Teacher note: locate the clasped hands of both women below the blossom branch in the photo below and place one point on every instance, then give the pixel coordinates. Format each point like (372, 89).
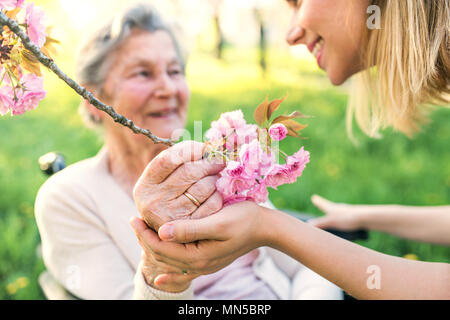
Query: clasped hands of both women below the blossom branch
(179, 185)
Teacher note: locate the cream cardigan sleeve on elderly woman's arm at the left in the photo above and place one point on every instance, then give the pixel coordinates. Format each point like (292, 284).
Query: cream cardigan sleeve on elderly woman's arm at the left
(78, 251)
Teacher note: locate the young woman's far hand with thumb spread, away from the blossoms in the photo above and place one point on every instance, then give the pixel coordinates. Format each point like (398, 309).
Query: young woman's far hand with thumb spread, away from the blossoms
(340, 216)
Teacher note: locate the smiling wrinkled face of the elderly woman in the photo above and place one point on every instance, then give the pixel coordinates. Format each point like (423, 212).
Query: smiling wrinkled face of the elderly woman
(146, 84)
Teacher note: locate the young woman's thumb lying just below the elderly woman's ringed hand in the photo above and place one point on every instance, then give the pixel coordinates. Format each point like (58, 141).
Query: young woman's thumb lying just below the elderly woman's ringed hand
(184, 231)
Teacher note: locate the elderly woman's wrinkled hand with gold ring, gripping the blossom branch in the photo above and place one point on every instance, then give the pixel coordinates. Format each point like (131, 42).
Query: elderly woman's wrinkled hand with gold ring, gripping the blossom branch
(159, 192)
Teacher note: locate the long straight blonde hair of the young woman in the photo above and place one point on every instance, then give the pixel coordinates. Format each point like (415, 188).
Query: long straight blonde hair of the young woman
(407, 67)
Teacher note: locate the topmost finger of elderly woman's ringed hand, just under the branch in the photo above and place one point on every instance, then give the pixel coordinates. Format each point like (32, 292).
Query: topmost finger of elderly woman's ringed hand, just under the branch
(169, 160)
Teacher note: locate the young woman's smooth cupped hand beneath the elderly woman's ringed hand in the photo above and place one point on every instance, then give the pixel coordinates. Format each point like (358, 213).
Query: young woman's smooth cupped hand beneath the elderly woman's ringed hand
(224, 236)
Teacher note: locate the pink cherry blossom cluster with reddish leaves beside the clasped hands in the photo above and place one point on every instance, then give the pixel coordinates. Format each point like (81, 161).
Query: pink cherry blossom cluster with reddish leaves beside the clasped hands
(251, 156)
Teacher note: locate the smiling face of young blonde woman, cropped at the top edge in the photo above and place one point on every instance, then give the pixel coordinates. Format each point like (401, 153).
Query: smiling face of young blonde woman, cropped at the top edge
(332, 30)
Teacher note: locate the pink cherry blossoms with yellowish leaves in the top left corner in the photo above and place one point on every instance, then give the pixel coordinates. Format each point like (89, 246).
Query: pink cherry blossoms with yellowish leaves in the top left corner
(21, 84)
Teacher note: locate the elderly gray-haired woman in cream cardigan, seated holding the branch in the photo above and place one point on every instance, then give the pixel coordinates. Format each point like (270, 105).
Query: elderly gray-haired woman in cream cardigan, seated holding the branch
(83, 212)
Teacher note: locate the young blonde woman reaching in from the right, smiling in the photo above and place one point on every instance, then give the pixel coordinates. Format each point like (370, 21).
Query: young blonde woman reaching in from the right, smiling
(399, 70)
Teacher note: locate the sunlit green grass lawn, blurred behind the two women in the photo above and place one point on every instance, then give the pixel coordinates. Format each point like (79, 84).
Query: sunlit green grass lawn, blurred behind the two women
(394, 169)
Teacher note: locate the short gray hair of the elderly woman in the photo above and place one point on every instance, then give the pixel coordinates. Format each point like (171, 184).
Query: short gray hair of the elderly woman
(93, 60)
